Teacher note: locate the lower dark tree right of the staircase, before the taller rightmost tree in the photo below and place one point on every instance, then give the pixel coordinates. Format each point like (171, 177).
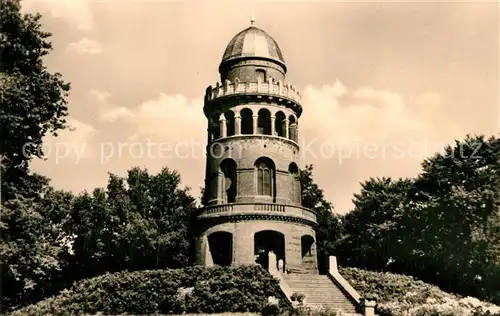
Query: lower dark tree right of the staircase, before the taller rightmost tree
(372, 229)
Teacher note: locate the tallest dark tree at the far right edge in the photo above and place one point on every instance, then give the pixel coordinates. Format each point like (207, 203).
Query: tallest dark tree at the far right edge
(462, 190)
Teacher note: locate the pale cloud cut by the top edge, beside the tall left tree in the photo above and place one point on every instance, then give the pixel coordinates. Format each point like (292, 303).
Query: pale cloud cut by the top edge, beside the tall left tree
(75, 12)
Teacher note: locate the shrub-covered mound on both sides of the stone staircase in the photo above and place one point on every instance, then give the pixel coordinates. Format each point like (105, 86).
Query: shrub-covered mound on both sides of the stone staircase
(243, 290)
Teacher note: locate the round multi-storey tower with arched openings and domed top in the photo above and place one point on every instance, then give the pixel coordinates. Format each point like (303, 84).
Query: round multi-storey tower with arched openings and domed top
(252, 200)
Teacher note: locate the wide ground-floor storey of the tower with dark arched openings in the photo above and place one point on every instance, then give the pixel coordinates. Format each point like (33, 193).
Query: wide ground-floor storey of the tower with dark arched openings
(239, 243)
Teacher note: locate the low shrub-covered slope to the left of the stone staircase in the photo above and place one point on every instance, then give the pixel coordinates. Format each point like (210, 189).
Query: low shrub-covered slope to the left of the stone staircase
(190, 290)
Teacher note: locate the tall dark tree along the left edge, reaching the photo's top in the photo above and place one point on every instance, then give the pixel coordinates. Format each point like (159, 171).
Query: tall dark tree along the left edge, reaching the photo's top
(32, 105)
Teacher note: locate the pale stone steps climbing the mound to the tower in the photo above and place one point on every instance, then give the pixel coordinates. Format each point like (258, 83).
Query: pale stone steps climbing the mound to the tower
(320, 291)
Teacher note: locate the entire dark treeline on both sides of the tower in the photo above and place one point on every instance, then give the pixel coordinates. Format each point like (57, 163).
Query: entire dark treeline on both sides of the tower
(443, 226)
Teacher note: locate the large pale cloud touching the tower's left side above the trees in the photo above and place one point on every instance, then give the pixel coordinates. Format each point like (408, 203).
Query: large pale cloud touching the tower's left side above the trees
(165, 131)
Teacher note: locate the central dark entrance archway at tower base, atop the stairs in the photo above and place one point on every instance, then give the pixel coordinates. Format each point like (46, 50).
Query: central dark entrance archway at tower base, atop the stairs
(266, 241)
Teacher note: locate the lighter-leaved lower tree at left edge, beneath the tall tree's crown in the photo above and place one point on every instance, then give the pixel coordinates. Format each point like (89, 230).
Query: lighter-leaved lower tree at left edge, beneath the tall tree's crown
(34, 248)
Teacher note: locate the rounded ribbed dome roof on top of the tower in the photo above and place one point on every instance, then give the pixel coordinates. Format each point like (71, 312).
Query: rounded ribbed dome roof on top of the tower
(253, 42)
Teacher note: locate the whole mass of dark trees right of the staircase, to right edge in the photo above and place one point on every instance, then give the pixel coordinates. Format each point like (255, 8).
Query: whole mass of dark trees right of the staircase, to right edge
(443, 226)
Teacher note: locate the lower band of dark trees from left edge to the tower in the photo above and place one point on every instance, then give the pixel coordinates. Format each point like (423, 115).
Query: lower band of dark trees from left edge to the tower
(138, 222)
